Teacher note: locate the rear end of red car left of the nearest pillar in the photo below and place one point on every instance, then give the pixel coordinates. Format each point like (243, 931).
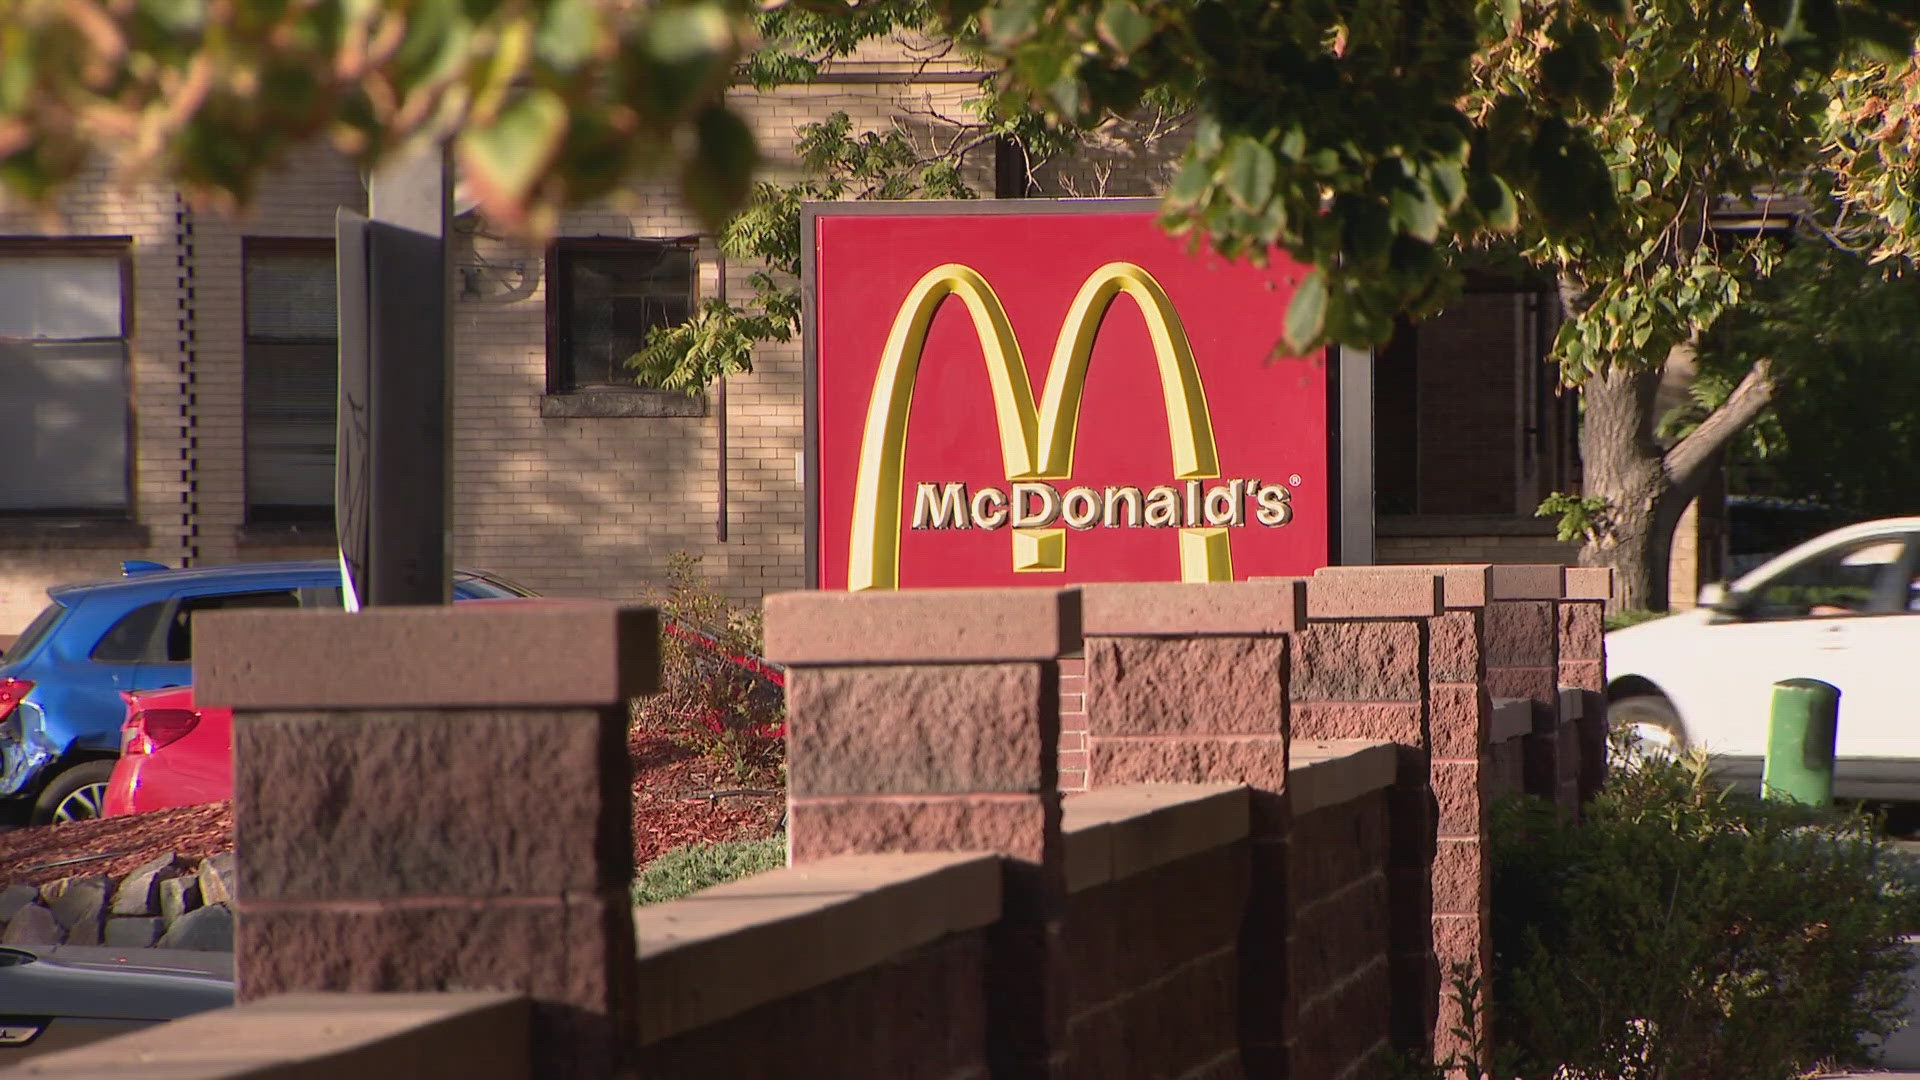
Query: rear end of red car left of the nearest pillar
(172, 754)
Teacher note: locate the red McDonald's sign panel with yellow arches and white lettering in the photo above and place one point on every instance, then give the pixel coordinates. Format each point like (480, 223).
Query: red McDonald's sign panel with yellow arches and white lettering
(1038, 393)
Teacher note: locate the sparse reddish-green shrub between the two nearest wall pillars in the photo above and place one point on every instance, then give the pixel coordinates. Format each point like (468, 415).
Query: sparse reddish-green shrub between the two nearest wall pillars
(713, 697)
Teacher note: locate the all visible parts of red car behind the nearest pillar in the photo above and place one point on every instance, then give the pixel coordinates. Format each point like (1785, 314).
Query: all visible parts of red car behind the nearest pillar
(180, 756)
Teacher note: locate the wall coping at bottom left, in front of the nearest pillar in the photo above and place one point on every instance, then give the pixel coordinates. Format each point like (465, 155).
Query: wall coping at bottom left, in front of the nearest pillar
(297, 1035)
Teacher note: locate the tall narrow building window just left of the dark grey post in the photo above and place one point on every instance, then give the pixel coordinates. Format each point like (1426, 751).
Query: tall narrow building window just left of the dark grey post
(293, 368)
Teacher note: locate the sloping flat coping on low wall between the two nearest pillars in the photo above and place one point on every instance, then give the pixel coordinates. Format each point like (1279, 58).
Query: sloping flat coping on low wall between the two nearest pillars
(706, 958)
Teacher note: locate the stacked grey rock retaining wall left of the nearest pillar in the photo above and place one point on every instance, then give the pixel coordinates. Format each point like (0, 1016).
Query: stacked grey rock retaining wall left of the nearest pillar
(170, 904)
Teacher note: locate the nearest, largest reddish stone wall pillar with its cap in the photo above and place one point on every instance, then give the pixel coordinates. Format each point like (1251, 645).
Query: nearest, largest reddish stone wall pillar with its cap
(439, 798)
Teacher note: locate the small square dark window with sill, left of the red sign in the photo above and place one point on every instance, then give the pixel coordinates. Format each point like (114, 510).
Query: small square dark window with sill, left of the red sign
(604, 297)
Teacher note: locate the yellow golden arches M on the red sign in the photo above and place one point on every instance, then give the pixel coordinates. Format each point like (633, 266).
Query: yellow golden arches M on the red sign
(1036, 445)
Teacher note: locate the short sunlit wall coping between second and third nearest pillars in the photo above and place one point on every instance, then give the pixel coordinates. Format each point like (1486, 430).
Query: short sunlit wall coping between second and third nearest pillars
(1116, 833)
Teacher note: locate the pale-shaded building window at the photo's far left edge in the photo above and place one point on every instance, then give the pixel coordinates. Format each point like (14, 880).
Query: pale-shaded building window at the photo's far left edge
(64, 378)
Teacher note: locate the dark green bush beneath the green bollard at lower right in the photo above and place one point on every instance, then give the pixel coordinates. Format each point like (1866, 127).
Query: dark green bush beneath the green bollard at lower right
(1689, 933)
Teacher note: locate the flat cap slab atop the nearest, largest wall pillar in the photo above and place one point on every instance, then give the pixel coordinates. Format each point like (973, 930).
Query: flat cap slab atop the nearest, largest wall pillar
(464, 656)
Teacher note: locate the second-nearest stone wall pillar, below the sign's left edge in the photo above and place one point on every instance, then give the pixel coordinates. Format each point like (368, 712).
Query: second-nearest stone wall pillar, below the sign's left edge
(930, 722)
